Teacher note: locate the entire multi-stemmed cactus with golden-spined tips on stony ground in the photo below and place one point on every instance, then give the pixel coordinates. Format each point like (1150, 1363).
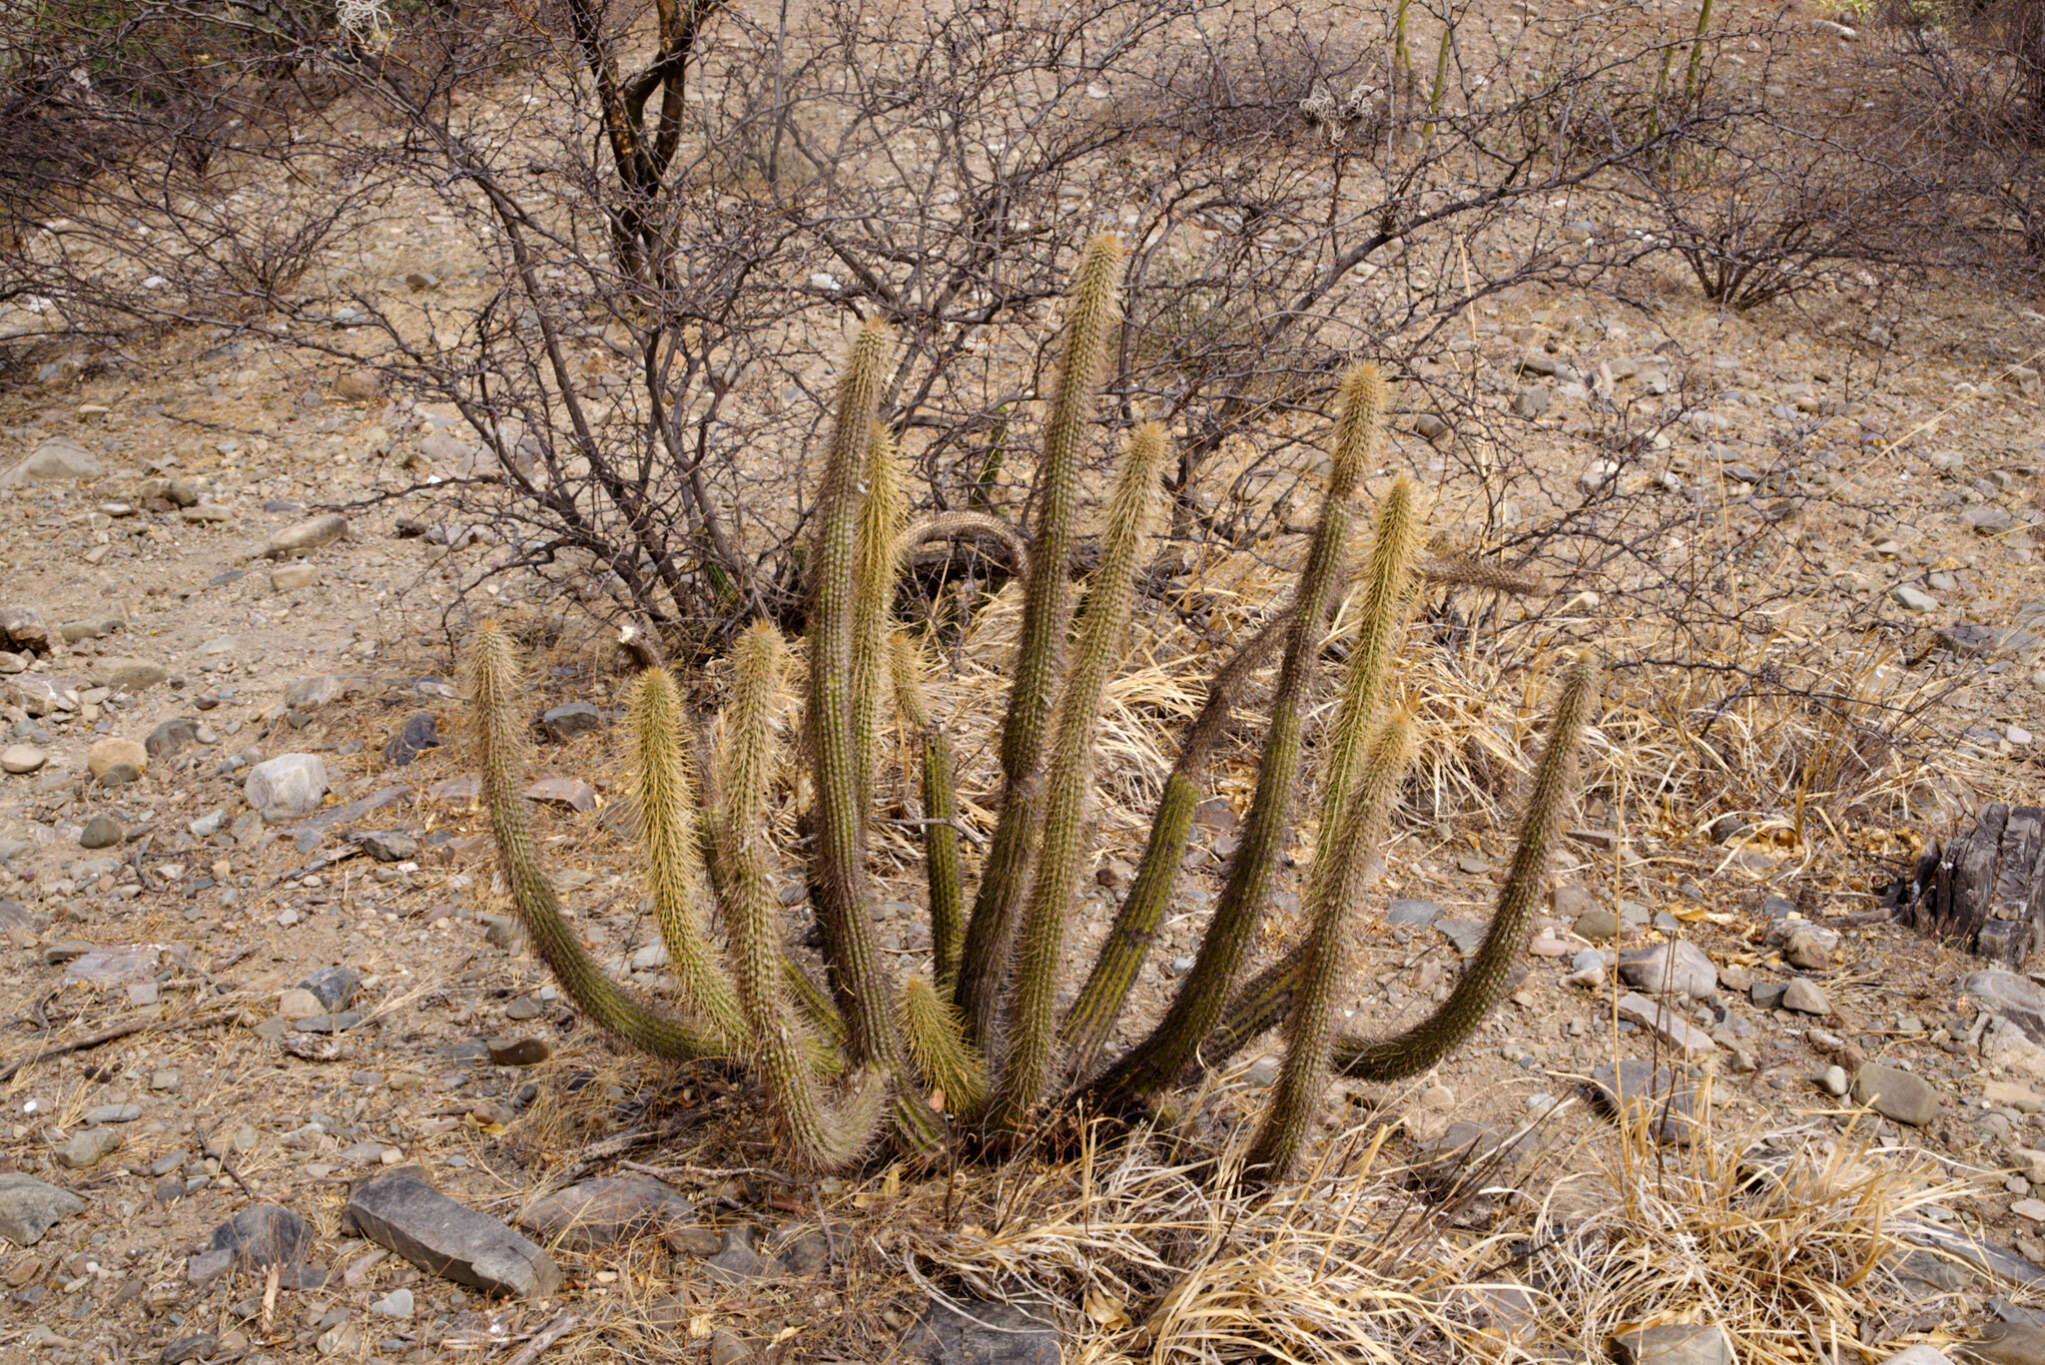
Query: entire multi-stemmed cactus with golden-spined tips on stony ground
(981, 1043)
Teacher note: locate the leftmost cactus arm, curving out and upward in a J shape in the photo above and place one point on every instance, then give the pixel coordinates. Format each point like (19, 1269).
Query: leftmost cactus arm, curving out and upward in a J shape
(494, 687)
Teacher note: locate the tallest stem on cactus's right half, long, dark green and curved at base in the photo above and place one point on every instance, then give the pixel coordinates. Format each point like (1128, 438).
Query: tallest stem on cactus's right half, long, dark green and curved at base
(1201, 998)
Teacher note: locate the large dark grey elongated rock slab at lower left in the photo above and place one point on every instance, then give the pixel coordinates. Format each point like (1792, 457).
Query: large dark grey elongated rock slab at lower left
(449, 1239)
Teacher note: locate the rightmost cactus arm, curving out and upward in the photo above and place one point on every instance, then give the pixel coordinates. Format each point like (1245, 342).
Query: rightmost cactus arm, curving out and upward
(1490, 971)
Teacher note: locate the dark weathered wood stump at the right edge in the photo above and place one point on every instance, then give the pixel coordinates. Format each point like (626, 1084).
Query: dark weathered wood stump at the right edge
(1987, 889)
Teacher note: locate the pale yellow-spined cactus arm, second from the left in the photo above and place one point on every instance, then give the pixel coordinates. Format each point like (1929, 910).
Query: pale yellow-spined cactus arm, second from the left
(668, 818)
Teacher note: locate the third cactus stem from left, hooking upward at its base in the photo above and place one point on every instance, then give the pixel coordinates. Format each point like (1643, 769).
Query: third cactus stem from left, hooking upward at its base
(749, 760)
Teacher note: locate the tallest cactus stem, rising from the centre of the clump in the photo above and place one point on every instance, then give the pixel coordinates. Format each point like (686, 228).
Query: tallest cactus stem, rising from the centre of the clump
(1093, 314)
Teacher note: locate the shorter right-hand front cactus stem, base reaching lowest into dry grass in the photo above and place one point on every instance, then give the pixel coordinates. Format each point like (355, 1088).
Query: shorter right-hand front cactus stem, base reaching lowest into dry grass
(1330, 955)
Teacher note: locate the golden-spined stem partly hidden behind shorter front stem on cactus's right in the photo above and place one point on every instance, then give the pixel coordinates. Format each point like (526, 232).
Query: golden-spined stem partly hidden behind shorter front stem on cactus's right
(1383, 613)
